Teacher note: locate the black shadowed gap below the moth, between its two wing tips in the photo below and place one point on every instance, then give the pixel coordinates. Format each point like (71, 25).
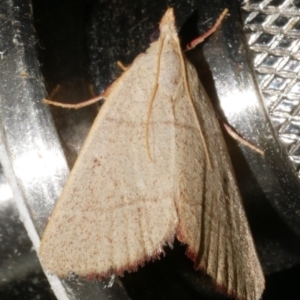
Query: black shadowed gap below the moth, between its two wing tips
(171, 277)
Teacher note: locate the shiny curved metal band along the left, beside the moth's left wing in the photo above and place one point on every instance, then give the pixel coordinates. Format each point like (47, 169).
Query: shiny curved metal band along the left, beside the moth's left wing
(30, 151)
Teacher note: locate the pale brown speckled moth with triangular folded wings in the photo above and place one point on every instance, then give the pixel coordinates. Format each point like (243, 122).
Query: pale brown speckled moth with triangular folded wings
(154, 166)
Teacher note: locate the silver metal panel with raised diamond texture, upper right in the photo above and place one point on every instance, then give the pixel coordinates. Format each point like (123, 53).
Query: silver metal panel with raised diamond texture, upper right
(274, 37)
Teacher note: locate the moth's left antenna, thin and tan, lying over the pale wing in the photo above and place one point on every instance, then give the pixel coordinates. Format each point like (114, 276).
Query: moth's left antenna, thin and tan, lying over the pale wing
(153, 96)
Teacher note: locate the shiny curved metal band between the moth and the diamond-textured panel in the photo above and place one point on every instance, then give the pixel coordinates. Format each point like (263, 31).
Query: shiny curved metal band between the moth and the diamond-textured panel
(245, 109)
